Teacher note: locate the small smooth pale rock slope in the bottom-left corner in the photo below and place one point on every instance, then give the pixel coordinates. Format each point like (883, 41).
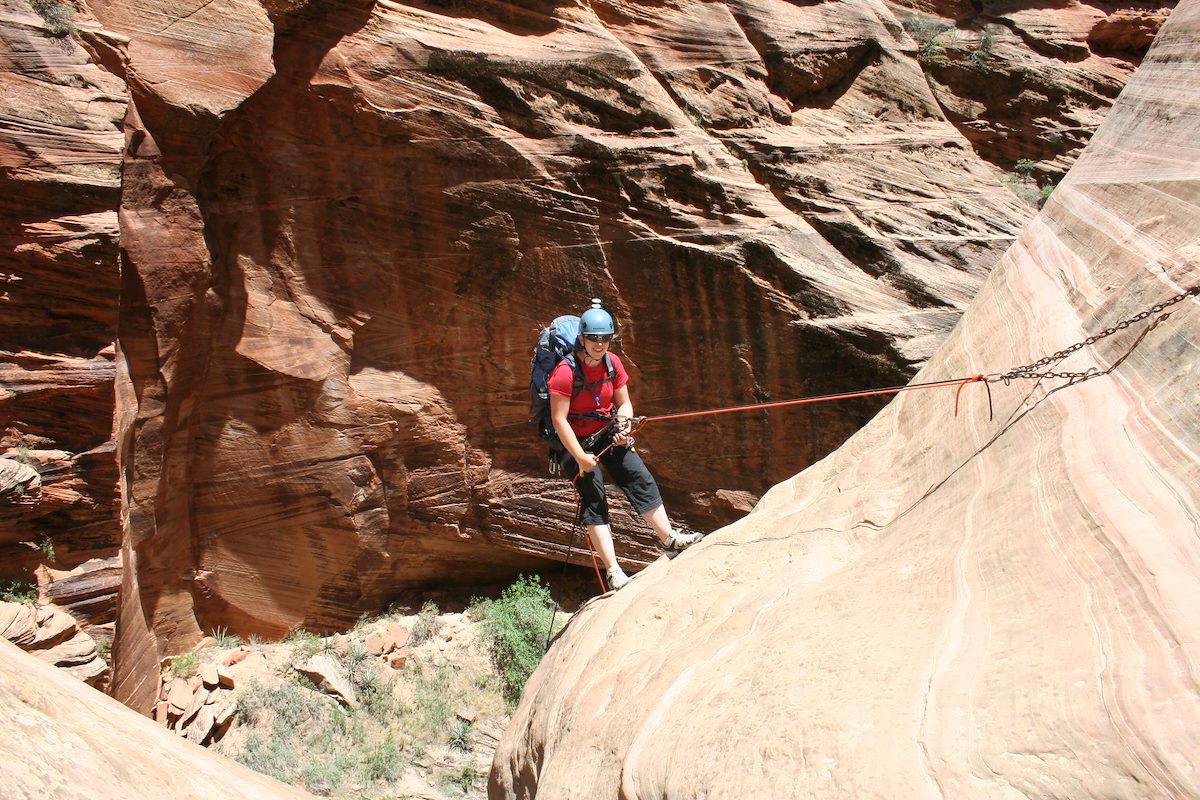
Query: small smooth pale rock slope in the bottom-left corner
(68, 742)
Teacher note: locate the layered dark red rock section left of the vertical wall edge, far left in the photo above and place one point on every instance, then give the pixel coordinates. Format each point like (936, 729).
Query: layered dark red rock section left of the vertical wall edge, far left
(61, 147)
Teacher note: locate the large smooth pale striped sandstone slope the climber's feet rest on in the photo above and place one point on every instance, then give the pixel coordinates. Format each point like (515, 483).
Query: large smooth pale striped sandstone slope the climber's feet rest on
(947, 607)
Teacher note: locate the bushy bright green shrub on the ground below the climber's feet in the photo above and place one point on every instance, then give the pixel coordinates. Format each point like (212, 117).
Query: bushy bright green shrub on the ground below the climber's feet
(517, 627)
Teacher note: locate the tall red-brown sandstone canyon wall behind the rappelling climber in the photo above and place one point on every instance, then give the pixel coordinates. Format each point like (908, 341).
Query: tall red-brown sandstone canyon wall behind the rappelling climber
(341, 226)
